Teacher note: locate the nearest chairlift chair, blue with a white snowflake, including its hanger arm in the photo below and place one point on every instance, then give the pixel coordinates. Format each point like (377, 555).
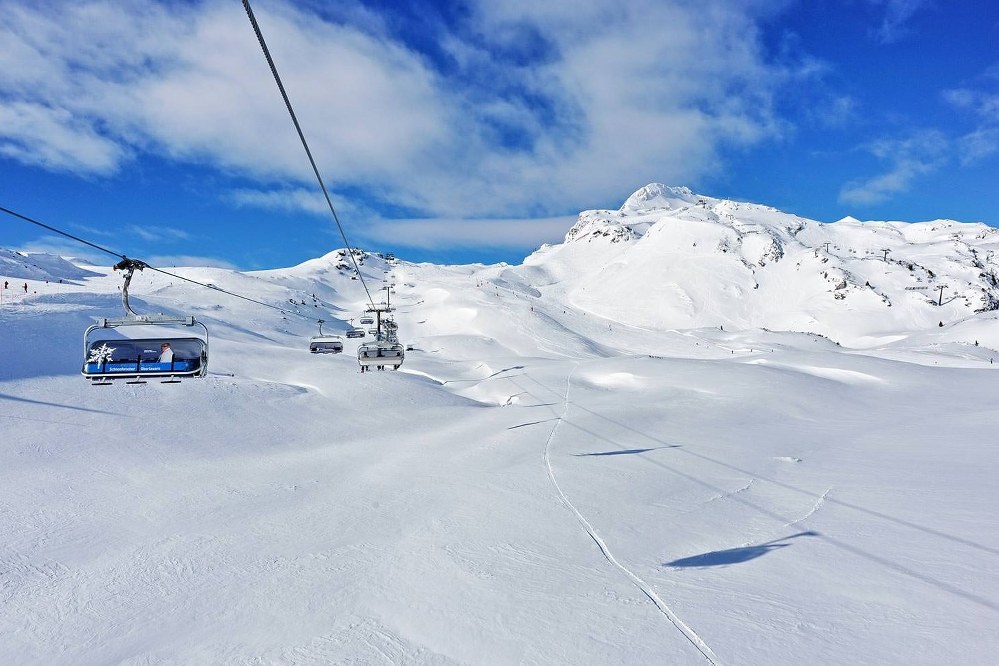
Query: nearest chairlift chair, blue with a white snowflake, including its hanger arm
(169, 357)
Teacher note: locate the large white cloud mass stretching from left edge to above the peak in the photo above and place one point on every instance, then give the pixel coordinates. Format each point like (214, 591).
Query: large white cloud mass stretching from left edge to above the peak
(587, 102)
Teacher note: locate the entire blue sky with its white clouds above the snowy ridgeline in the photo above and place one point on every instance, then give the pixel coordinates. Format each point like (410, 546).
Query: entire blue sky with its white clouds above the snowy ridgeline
(472, 131)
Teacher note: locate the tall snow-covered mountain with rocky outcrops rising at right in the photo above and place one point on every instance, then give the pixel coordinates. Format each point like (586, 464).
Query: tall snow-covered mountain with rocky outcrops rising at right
(671, 259)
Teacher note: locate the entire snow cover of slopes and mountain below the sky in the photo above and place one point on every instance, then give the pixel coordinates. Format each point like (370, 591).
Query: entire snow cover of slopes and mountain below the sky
(697, 431)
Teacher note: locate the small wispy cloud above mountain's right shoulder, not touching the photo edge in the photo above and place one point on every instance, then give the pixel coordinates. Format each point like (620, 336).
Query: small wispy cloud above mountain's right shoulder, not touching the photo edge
(908, 158)
